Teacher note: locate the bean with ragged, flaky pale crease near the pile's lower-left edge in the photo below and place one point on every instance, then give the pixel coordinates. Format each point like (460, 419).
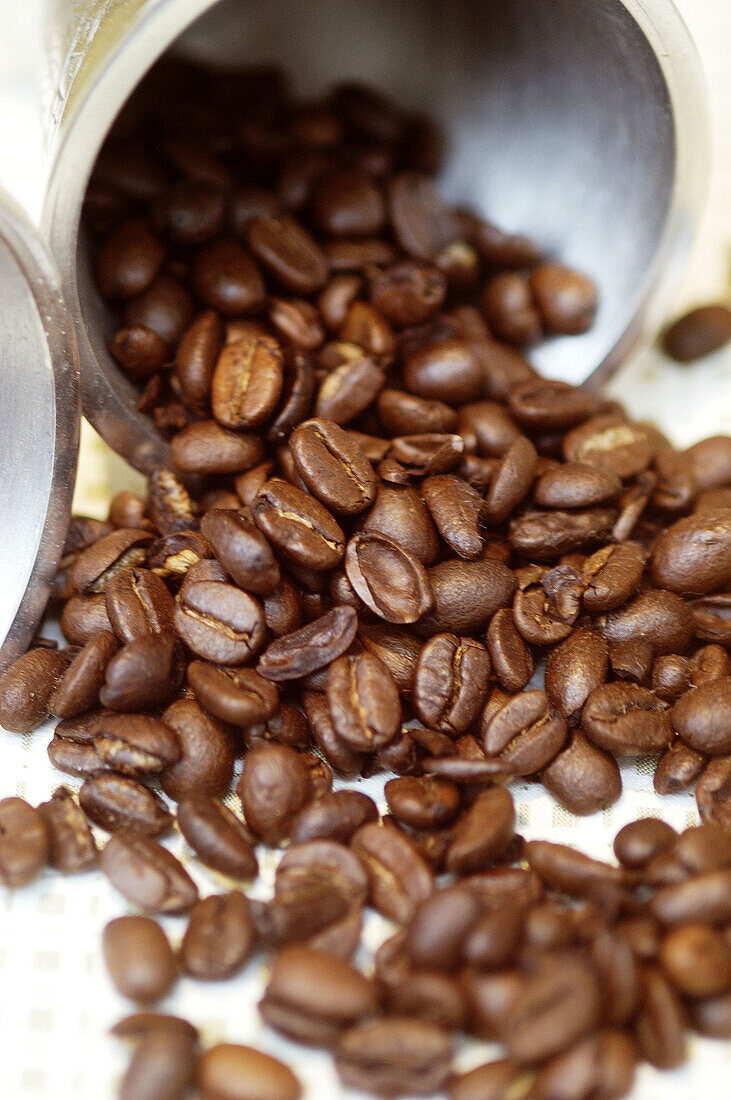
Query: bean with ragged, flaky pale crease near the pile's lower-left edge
(135, 745)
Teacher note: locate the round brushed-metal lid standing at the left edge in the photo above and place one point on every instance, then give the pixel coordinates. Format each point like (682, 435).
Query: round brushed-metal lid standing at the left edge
(39, 428)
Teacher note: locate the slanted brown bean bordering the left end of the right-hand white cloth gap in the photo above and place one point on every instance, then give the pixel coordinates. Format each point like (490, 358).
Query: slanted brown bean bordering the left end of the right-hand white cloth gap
(483, 833)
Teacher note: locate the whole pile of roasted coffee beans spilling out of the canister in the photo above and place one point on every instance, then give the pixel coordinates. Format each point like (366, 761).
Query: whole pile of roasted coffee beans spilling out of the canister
(378, 523)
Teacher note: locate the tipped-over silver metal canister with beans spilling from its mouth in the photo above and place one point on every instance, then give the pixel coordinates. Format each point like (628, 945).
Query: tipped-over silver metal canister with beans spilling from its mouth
(581, 123)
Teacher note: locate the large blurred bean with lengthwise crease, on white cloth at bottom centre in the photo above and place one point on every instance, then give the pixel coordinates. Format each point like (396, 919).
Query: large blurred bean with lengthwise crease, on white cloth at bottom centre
(313, 997)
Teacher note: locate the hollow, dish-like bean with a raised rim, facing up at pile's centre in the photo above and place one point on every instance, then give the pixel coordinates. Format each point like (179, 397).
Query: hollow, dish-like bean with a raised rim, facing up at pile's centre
(390, 580)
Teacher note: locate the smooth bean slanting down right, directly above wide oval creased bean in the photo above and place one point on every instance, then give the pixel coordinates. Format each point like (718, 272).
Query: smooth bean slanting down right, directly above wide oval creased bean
(242, 551)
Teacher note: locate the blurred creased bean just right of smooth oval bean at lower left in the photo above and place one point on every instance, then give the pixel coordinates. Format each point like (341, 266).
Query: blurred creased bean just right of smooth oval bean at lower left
(219, 938)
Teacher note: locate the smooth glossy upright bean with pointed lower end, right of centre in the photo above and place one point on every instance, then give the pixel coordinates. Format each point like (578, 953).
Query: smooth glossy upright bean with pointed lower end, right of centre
(574, 669)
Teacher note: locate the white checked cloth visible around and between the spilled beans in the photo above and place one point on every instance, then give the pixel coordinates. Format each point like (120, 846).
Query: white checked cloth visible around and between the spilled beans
(57, 1004)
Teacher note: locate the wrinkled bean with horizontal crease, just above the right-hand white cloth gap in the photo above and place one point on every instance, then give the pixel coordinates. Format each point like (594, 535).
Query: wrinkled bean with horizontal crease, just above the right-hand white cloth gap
(627, 720)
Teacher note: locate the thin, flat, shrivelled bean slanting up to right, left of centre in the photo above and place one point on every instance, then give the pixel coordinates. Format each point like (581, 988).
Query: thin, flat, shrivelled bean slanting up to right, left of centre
(311, 648)
